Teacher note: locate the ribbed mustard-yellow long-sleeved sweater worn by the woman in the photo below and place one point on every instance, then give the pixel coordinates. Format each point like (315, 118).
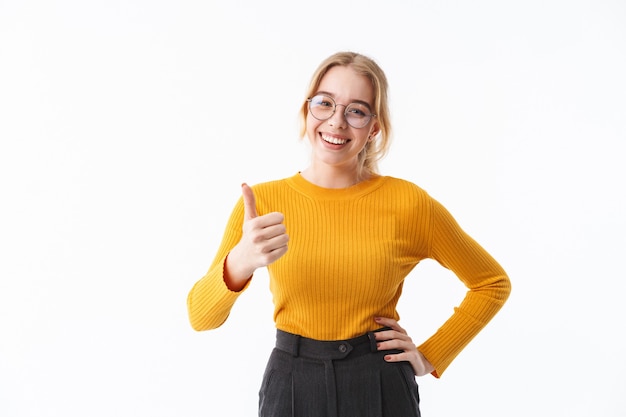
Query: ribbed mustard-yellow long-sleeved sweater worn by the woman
(349, 253)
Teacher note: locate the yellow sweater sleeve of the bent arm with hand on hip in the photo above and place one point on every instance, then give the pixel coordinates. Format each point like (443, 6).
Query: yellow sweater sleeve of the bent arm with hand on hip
(487, 282)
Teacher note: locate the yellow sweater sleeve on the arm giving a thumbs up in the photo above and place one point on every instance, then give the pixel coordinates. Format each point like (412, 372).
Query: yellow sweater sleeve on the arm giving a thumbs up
(209, 302)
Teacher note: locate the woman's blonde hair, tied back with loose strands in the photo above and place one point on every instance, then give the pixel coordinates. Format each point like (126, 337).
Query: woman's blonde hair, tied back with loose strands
(375, 149)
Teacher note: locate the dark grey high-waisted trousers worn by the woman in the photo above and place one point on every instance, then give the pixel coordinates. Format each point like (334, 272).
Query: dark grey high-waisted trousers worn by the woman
(345, 378)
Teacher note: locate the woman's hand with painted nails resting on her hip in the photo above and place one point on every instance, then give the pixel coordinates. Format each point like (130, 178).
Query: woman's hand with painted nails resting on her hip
(397, 338)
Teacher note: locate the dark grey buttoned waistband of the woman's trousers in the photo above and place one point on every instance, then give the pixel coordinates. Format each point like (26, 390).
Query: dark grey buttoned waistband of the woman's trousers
(298, 345)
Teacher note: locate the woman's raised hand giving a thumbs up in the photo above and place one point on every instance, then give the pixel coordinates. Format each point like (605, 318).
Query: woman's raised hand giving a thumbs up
(264, 240)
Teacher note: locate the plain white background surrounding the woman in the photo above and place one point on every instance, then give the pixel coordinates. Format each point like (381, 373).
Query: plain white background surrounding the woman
(127, 128)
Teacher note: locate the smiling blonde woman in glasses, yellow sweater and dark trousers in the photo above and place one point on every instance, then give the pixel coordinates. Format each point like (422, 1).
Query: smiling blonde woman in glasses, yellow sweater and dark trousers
(354, 235)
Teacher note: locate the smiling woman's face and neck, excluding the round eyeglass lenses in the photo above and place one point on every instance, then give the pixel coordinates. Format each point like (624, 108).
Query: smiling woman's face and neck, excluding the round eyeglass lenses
(333, 141)
